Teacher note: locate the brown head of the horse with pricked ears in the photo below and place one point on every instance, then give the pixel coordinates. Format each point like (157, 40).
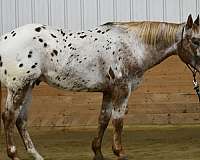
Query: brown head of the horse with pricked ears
(189, 45)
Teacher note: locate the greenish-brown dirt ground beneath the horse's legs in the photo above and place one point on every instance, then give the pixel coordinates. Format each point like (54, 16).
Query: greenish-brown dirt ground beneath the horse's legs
(141, 143)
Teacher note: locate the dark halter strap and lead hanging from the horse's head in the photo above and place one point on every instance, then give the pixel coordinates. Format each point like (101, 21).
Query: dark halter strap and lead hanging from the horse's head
(193, 70)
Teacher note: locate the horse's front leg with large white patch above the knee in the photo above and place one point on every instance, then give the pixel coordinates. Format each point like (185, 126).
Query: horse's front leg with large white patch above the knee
(120, 108)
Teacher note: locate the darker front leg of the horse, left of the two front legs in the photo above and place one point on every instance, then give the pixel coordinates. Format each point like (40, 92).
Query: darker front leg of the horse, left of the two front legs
(104, 119)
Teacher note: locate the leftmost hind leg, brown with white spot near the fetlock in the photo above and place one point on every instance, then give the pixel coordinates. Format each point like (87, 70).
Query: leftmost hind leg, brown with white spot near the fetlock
(13, 102)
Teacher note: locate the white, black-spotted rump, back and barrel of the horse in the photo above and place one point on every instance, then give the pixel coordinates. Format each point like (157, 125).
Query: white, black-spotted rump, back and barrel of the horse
(75, 61)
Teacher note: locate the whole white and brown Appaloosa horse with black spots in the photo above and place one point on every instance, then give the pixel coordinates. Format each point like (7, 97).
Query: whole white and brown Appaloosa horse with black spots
(111, 58)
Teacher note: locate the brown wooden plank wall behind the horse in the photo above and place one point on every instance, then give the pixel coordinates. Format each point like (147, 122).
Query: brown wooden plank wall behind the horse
(165, 97)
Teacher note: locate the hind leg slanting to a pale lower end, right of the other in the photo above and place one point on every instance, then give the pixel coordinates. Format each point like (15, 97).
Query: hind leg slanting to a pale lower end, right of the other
(21, 124)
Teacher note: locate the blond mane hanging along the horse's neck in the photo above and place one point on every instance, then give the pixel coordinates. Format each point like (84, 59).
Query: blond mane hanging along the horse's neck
(151, 32)
